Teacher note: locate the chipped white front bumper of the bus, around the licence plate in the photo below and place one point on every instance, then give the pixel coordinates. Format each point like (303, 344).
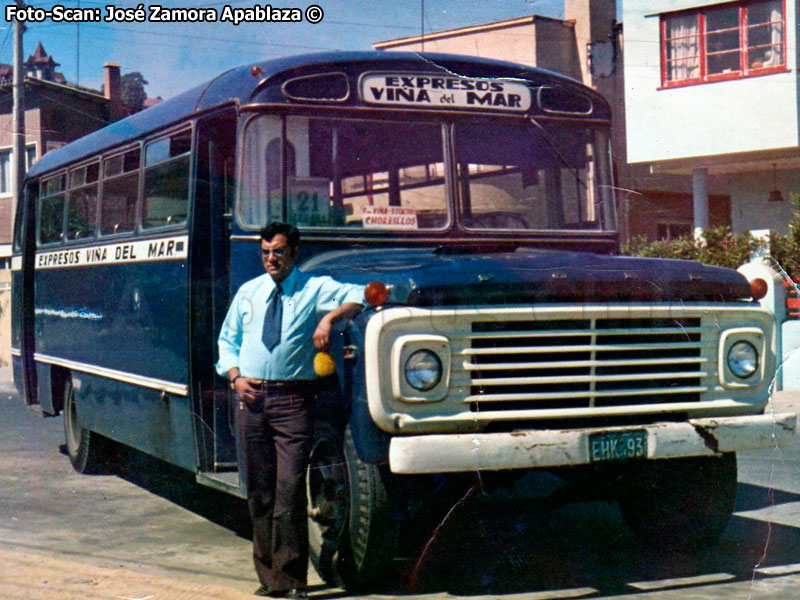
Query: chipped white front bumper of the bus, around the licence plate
(453, 453)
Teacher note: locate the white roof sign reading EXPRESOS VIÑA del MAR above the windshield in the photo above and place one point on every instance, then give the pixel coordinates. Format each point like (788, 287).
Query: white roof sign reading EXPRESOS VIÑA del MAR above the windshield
(444, 91)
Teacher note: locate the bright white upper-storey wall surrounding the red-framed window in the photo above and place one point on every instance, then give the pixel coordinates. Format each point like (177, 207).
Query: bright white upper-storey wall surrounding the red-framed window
(756, 113)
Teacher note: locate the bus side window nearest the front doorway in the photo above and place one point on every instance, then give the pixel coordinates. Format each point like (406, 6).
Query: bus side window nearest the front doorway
(166, 180)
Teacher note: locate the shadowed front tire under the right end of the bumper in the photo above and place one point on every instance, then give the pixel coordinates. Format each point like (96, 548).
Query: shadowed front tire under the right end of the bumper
(680, 505)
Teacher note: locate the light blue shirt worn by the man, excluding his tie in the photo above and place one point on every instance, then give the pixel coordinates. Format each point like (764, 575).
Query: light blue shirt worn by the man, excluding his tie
(306, 300)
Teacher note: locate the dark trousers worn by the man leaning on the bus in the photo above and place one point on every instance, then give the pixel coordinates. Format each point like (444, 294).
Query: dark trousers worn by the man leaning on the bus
(276, 438)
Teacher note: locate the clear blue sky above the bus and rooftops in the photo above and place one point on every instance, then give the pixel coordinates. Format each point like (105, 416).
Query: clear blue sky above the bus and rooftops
(174, 57)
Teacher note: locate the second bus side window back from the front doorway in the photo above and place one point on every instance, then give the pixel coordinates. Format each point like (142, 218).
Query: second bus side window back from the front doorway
(120, 192)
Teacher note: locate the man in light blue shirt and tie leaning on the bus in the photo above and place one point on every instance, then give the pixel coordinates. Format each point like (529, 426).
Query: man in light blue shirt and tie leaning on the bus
(266, 352)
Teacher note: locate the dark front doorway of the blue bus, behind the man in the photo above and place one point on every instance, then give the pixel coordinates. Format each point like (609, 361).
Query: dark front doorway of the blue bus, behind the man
(211, 231)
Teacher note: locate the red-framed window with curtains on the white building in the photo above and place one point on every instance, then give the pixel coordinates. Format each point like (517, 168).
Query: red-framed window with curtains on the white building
(725, 41)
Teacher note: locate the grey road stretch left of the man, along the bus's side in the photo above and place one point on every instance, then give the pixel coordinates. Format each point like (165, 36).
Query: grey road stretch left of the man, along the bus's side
(155, 521)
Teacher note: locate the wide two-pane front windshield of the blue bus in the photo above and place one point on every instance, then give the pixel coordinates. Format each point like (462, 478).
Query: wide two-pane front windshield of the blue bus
(390, 175)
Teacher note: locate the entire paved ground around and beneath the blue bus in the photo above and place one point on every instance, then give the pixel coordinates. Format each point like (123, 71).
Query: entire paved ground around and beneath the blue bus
(153, 521)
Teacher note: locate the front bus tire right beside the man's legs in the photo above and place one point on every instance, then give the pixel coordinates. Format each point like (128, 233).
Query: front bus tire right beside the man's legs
(352, 531)
